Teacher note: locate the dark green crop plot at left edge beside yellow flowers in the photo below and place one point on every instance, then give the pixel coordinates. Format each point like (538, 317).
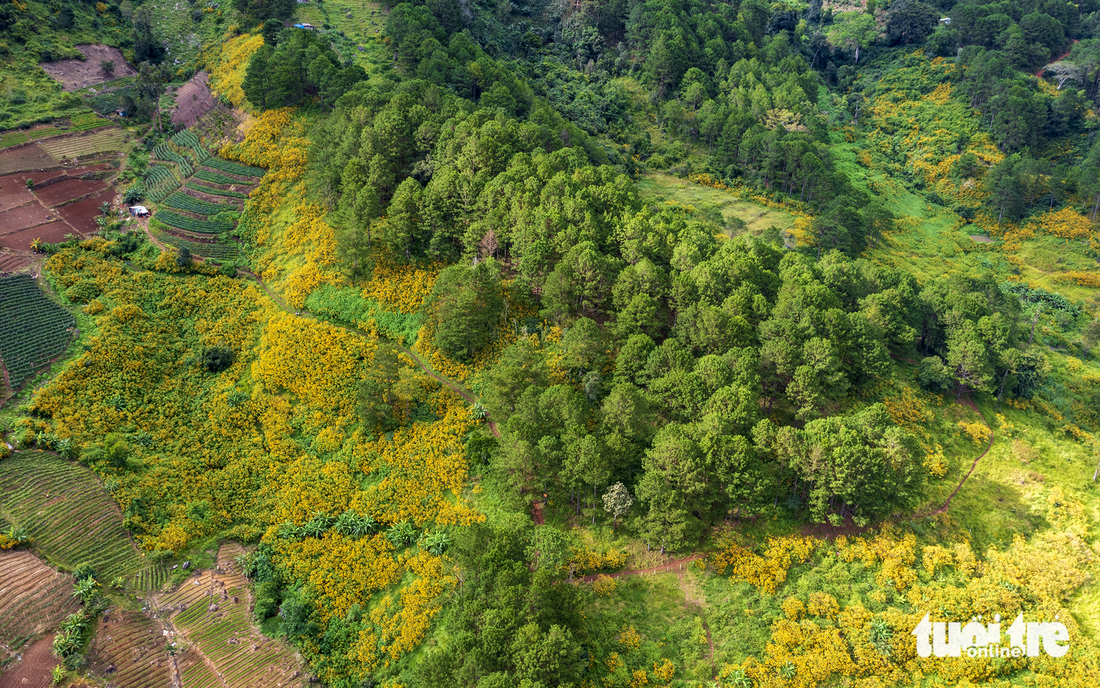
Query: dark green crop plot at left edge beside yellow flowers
(34, 330)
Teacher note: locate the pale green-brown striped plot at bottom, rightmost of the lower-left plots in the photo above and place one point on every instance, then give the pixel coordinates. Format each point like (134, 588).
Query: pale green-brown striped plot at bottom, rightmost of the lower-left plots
(211, 610)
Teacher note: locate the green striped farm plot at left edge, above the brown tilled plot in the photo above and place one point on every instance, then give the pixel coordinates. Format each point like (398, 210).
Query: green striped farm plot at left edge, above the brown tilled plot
(68, 512)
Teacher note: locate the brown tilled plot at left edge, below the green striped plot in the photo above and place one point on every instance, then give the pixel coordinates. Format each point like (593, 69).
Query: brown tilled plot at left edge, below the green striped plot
(34, 598)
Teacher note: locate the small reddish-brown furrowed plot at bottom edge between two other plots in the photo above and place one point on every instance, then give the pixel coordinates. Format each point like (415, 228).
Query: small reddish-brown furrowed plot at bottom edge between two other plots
(130, 651)
